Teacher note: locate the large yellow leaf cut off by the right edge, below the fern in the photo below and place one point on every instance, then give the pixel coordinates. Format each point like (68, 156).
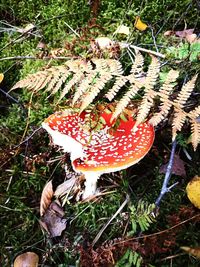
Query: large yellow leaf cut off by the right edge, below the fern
(193, 191)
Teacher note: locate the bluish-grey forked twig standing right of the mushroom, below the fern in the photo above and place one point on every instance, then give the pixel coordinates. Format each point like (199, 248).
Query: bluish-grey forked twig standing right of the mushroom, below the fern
(165, 187)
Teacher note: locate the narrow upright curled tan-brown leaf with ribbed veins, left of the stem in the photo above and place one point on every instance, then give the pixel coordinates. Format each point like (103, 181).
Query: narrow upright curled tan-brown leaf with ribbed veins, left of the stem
(46, 197)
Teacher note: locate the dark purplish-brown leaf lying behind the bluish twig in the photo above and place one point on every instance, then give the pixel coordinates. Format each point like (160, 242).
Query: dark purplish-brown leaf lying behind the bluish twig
(177, 169)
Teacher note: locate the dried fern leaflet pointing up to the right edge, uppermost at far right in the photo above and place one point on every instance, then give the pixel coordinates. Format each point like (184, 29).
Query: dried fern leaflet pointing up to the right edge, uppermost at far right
(185, 92)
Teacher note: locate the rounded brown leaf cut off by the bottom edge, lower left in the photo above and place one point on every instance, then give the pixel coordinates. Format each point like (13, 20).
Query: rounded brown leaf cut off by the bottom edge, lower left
(28, 259)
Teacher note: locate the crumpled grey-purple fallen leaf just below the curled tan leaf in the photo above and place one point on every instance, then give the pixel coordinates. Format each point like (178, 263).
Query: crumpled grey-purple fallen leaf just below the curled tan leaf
(52, 221)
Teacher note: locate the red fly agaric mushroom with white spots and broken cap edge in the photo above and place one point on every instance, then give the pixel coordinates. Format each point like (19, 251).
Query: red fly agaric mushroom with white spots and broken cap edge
(104, 150)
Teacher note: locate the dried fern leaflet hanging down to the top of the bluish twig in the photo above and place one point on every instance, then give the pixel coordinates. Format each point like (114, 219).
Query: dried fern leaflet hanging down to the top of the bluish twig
(178, 121)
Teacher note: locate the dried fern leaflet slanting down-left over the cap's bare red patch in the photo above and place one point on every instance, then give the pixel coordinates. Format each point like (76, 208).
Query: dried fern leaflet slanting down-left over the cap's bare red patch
(124, 101)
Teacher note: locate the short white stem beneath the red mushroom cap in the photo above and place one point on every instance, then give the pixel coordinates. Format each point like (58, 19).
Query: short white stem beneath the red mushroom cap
(90, 184)
